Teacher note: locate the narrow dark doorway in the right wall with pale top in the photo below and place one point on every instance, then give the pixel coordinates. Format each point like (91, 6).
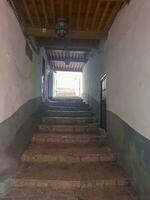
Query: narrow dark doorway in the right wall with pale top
(103, 120)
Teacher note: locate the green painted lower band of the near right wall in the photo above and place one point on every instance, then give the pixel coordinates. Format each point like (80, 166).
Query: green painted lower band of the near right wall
(133, 152)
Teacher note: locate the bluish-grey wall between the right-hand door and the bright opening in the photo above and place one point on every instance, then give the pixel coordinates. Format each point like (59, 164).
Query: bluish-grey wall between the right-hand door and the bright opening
(93, 71)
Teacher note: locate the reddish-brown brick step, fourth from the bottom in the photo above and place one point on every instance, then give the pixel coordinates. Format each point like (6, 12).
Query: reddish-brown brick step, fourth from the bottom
(68, 138)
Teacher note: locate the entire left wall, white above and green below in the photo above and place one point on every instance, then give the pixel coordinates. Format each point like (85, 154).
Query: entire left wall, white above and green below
(20, 90)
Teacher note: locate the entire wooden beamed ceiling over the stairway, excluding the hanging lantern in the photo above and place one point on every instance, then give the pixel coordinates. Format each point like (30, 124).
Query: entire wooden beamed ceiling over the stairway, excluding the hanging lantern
(88, 21)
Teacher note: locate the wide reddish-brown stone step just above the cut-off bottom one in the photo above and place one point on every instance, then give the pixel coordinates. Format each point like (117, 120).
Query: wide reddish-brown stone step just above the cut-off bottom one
(73, 176)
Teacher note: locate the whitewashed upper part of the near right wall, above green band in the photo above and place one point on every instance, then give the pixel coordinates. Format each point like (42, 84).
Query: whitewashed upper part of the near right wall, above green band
(128, 66)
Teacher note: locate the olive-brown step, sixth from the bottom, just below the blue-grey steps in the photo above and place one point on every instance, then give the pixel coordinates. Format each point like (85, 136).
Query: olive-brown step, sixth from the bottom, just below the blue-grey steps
(68, 120)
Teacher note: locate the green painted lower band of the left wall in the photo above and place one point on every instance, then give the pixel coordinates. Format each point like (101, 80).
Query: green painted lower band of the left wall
(16, 133)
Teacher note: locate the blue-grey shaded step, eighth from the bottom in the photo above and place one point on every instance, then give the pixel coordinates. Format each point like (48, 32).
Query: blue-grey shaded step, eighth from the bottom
(66, 108)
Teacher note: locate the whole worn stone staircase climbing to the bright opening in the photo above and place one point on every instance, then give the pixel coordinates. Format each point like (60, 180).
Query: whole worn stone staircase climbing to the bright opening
(69, 159)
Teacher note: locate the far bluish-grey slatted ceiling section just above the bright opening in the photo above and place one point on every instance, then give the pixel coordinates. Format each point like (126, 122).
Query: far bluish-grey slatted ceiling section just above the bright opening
(66, 60)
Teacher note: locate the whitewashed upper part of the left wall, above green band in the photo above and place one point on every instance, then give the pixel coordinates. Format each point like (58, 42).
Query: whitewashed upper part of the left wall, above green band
(19, 77)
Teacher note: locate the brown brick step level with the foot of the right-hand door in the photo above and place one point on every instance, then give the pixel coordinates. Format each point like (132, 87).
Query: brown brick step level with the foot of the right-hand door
(93, 127)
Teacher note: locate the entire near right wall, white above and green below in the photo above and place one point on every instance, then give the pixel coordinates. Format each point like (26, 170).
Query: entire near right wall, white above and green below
(128, 92)
